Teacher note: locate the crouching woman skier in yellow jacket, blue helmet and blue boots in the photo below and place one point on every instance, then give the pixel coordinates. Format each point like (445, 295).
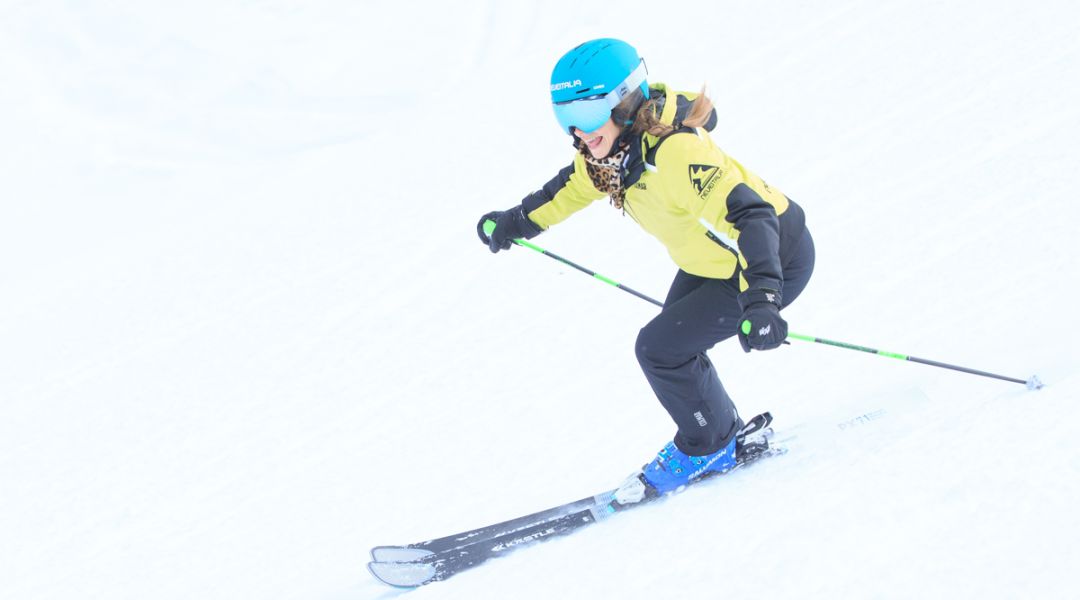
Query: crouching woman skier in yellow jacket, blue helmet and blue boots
(742, 247)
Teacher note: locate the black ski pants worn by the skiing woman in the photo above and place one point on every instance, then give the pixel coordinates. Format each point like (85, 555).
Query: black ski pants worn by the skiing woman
(698, 313)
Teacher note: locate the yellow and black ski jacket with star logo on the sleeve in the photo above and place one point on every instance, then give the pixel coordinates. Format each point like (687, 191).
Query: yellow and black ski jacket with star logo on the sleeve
(717, 219)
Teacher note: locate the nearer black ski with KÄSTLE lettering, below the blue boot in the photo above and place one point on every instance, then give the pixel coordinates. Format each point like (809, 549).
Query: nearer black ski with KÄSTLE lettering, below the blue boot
(558, 522)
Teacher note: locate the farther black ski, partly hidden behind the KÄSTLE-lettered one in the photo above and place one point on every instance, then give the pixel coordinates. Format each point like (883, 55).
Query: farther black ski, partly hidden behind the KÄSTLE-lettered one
(424, 550)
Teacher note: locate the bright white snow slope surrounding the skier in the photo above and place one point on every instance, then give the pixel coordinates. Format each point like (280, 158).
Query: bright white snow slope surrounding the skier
(248, 333)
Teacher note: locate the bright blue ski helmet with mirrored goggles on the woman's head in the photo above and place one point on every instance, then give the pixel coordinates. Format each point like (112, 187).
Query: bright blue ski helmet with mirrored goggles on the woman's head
(592, 79)
